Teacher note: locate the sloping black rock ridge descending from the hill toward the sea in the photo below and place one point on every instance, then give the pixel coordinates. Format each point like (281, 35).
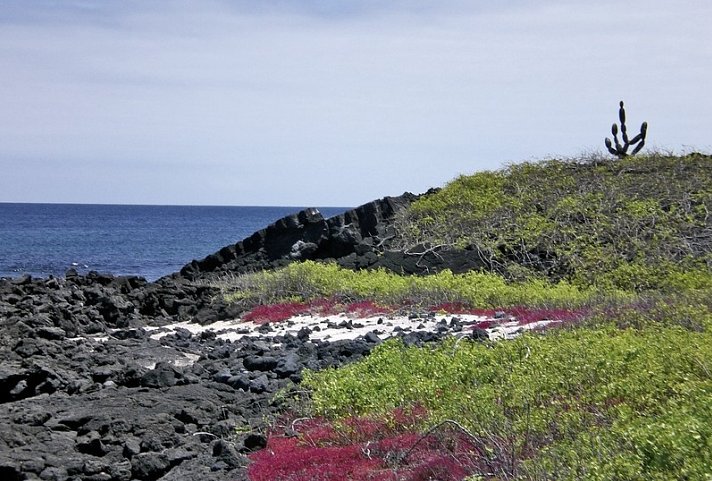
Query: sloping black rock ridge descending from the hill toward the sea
(357, 239)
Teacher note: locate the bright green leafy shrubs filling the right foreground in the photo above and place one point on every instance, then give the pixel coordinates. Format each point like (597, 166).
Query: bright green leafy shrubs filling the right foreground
(597, 404)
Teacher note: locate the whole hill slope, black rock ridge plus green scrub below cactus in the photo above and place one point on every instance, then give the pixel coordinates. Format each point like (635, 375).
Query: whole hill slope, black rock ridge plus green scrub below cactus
(637, 223)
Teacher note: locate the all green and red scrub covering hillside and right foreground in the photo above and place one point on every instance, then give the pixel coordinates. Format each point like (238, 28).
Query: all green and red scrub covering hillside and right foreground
(622, 391)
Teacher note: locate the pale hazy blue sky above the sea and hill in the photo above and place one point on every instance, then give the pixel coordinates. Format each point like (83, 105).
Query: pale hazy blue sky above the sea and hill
(330, 102)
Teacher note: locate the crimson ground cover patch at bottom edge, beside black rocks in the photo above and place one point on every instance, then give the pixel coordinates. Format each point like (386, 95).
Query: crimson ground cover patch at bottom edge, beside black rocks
(365, 449)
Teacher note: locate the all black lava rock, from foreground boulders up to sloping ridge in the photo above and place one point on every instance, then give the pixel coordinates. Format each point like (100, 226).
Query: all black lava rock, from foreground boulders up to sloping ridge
(89, 391)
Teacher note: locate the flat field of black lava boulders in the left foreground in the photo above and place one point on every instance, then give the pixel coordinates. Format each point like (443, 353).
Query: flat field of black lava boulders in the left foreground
(87, 392)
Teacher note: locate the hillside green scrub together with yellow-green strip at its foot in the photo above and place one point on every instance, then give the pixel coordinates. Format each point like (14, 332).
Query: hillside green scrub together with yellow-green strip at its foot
(553, 233)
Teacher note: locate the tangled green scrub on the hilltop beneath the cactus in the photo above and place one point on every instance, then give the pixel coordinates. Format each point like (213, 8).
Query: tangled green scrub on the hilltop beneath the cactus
(636, 223)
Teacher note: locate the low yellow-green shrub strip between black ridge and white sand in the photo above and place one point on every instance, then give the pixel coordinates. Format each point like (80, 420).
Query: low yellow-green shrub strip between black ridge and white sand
(311, 280)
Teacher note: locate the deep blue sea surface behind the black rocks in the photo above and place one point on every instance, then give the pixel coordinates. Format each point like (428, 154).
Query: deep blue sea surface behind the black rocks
(148, 241)
